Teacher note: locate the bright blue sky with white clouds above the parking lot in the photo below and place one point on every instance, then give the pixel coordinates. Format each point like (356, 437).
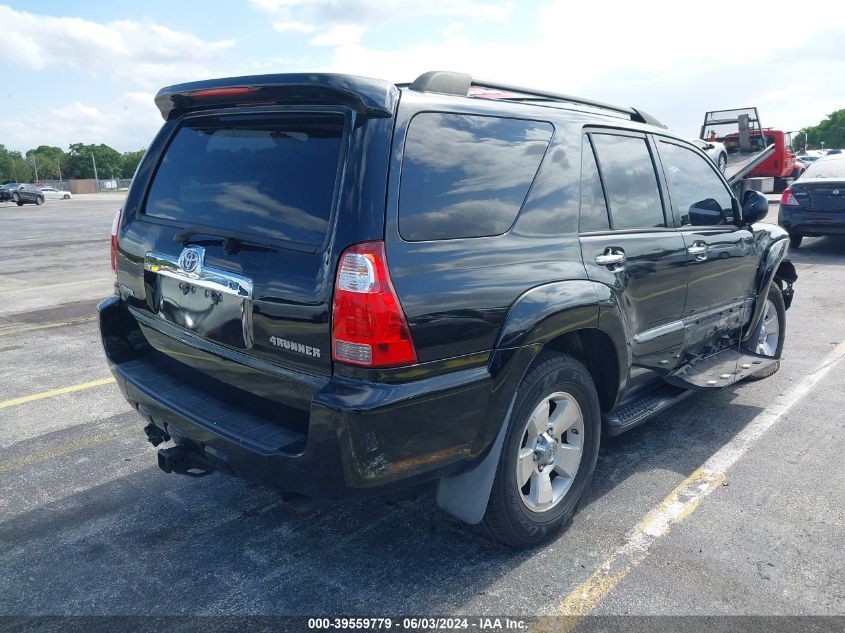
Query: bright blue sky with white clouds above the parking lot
(82, 71)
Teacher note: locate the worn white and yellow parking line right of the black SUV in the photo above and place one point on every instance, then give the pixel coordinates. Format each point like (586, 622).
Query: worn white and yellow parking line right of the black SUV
(680, 503)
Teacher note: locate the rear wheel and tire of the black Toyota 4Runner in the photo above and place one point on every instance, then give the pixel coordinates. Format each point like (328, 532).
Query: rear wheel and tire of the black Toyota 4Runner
(555, 380)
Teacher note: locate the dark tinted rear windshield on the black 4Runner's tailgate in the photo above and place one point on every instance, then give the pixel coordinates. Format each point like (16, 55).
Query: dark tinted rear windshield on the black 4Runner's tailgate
(274, 178)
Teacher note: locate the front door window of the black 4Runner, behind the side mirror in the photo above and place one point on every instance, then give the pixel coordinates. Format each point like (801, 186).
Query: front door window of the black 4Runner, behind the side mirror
(698, 195)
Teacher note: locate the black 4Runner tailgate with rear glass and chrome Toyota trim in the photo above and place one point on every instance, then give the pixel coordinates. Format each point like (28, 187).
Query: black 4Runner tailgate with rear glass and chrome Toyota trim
(236, 220)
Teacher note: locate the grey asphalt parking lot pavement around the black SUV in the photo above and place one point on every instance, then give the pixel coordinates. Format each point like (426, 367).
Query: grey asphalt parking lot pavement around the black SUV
(90, 526)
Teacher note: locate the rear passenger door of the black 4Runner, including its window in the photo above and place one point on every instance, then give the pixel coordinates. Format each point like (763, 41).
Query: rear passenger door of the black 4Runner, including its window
(629, 244)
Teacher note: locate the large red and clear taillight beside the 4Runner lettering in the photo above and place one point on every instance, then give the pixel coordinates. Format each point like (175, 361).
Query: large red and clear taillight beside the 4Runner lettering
(368, 325)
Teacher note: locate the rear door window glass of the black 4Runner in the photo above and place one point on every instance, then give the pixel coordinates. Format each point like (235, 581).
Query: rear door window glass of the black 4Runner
(630, 182)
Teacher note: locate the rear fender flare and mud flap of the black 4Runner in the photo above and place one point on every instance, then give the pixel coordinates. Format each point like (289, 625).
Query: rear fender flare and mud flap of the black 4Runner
(535, 318)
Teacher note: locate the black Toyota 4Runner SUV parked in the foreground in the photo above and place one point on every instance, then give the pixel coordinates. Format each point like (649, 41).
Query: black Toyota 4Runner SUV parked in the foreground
(334, 285)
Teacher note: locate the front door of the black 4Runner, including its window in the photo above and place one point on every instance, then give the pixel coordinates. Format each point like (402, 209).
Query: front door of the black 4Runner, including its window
(721, 257)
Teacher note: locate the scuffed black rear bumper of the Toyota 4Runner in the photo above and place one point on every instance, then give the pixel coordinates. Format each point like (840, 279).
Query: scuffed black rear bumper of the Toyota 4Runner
(360, 436)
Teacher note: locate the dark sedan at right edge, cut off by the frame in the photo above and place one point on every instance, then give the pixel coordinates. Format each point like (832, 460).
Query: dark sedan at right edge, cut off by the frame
(815, 204)
